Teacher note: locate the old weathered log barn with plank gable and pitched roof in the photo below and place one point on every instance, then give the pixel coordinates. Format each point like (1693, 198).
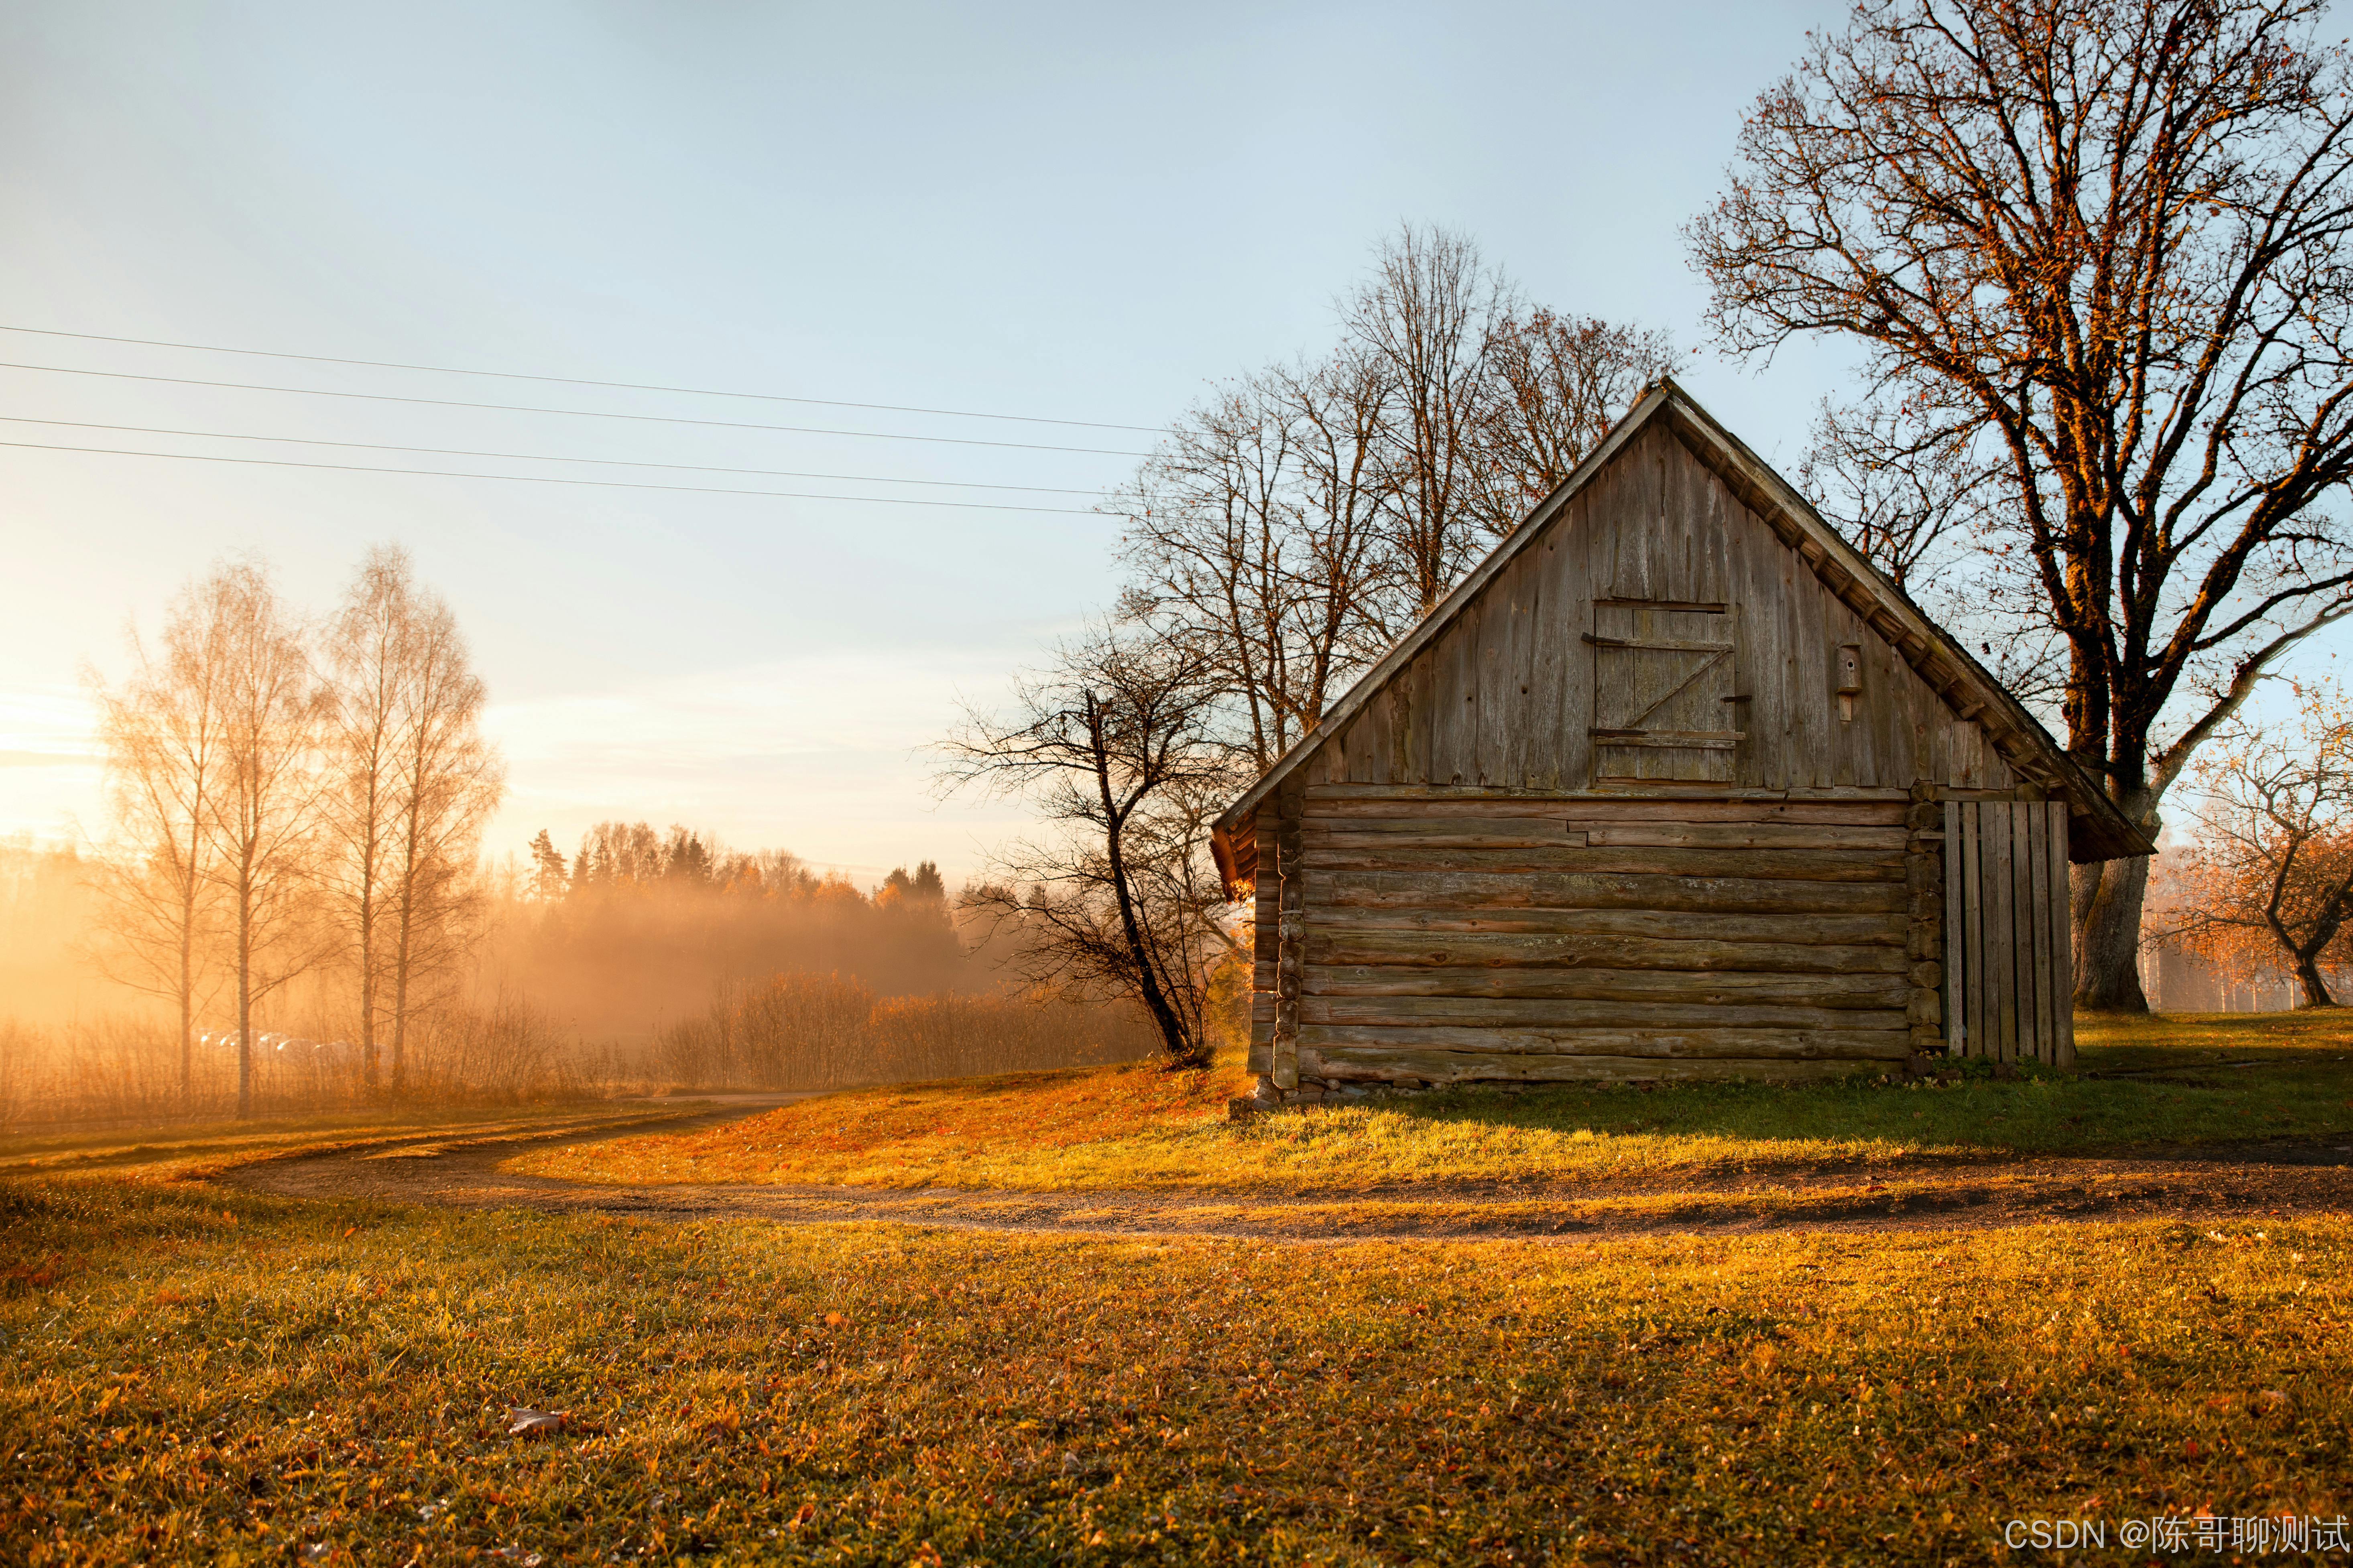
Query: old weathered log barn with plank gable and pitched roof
(1674, 786)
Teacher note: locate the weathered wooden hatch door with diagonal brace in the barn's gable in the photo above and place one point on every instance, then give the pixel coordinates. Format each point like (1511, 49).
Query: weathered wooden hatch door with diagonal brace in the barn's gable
(1665, 692)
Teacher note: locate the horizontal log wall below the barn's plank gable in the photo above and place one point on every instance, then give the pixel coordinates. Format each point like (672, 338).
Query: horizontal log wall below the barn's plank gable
(1474, 937)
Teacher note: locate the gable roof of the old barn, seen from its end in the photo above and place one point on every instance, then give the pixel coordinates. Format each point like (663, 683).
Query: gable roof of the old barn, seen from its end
(2098, 829)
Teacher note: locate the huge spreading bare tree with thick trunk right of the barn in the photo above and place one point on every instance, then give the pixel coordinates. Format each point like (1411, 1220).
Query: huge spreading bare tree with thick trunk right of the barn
(2117, 229)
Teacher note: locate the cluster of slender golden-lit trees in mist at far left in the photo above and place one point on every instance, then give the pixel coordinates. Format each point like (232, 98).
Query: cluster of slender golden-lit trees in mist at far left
(298, 796)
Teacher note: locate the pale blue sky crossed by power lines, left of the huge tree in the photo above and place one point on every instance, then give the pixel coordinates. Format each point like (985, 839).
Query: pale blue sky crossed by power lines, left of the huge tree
(1081, 213)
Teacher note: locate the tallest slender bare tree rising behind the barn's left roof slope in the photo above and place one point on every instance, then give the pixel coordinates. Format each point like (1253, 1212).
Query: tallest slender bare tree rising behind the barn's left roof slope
(1429, 321)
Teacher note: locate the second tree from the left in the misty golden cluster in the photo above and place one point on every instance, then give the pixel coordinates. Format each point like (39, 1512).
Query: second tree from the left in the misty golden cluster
(262, 819)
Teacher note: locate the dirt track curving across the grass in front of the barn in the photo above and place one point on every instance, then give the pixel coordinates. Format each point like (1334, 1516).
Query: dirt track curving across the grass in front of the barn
(1928, 1195)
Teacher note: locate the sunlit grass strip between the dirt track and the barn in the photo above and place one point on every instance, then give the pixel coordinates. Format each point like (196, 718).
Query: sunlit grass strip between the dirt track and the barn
(2197, 1080)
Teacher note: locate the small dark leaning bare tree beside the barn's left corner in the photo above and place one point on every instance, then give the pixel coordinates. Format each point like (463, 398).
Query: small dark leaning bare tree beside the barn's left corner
(1116, 749)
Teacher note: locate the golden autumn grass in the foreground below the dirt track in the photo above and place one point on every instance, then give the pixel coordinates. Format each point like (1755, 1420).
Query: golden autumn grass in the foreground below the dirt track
(208, 1376)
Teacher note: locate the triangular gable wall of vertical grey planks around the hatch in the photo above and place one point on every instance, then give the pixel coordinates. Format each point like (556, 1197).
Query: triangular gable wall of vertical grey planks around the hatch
(1507, 697)
